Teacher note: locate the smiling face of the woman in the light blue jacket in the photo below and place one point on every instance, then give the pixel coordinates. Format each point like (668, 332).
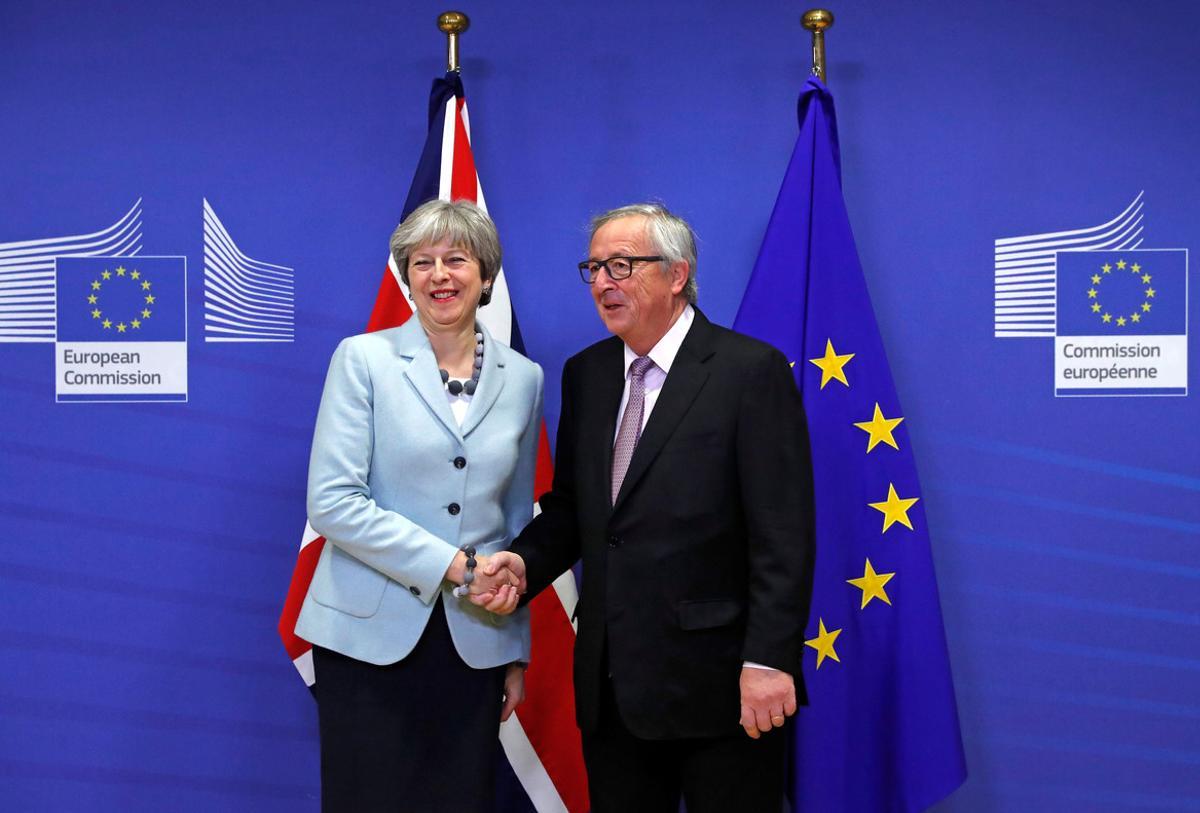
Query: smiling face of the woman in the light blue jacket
(446, 285)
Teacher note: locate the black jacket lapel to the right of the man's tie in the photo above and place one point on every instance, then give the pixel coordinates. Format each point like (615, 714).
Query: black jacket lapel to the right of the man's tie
(685, 382)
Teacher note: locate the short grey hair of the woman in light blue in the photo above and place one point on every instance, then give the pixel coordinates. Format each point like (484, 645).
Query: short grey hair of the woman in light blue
(463, 225)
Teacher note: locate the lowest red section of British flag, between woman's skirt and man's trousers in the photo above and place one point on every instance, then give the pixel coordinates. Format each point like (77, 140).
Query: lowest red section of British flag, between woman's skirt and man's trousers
(548, 714)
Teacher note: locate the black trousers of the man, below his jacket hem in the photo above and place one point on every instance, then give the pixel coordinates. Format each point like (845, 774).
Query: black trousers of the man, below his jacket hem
(713, 775)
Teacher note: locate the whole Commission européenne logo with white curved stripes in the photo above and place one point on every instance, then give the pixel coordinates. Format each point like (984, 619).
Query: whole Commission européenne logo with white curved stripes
(1118, 312)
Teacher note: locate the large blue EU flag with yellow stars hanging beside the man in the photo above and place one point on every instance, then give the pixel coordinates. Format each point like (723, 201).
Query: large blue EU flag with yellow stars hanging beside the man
(881, 731)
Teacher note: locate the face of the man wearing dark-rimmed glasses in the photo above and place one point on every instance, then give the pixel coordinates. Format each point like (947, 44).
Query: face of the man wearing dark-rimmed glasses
(644, 306)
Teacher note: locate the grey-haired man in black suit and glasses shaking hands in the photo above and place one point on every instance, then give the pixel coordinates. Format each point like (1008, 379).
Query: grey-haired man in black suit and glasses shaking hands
(683, 483)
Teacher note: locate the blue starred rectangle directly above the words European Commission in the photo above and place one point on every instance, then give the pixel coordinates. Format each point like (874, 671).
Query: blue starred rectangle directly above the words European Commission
(140, 298)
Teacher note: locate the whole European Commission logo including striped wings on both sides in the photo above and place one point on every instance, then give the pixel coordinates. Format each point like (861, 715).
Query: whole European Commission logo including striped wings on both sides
(119, 318)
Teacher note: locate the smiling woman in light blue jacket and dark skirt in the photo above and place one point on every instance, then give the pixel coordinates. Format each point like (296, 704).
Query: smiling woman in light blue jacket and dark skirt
(423, 465)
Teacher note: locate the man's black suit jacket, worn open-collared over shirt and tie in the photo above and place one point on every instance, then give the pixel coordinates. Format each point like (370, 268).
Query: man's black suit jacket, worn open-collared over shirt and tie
(706, 559)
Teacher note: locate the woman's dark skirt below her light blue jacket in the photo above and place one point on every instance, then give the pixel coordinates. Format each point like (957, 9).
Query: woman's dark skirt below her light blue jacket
(419, 736)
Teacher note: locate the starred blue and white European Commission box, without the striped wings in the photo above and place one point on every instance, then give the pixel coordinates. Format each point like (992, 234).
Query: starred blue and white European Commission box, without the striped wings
(122, 329)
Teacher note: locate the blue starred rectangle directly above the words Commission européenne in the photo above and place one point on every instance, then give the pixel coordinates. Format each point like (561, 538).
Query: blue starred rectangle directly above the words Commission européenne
(1139, 292)
